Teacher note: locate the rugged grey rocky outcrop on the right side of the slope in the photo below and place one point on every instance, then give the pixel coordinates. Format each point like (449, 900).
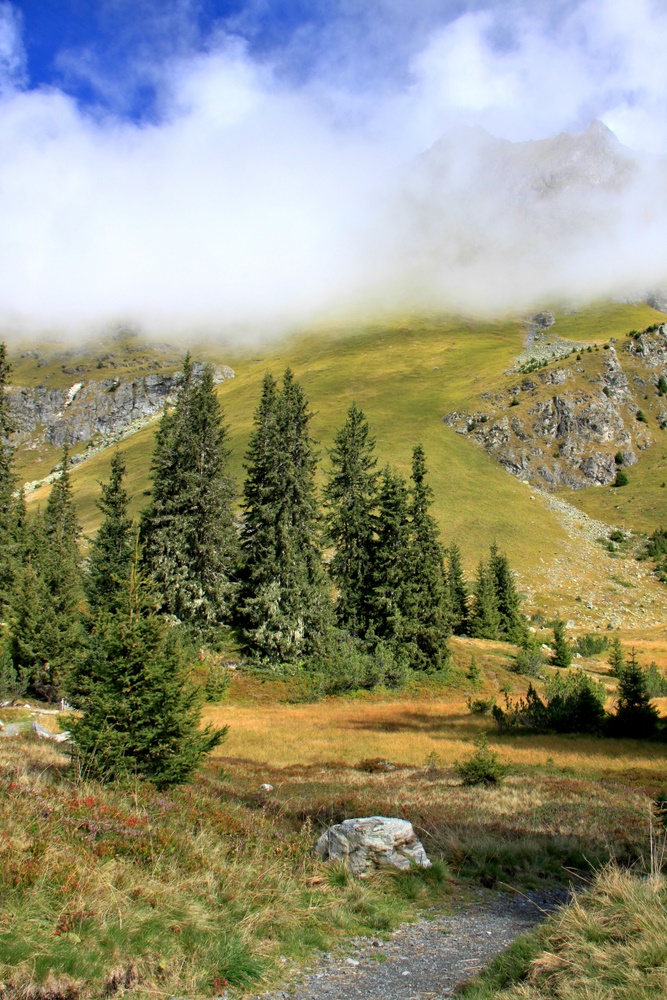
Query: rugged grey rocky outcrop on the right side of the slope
(574, 421)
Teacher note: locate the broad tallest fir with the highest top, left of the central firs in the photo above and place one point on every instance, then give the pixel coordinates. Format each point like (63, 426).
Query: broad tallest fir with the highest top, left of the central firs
(187, 530)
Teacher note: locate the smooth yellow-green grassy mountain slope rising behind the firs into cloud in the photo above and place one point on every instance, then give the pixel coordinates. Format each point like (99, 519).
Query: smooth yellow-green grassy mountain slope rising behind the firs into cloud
(406, 375)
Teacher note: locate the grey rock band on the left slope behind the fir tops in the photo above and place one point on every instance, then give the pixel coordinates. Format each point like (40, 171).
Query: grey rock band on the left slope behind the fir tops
(97, 409)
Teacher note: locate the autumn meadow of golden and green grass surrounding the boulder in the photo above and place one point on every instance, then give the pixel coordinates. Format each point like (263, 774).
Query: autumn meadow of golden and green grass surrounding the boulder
(213, 887)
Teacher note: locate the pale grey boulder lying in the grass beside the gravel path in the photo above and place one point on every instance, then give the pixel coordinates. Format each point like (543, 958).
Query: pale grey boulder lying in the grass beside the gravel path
(366, 843)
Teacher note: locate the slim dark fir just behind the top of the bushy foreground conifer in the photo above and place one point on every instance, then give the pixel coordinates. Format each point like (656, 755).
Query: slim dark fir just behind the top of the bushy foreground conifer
(112, 550)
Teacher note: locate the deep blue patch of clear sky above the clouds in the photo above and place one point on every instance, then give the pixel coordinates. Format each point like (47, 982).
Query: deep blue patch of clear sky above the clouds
(88, 48)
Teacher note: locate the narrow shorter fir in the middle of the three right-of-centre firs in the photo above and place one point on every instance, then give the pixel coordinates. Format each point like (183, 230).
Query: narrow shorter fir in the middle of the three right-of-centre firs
(392, 593)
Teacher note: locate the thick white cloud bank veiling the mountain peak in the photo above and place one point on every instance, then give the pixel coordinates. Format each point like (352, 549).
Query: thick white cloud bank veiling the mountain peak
(254, 204)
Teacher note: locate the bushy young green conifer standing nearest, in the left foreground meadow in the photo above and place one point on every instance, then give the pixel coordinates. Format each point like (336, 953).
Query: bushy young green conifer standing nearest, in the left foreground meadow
(140, 712)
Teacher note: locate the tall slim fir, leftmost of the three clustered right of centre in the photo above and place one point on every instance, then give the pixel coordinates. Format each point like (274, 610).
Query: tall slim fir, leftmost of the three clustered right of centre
(351, 496)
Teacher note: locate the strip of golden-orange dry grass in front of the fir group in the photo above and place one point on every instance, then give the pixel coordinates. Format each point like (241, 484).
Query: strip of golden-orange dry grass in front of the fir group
(346, 730)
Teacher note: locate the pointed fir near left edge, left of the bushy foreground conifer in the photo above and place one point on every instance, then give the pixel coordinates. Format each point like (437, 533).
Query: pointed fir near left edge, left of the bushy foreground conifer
(46, 625)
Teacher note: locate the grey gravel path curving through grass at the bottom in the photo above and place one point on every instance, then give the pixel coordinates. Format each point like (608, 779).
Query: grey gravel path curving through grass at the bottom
(425, 960)
